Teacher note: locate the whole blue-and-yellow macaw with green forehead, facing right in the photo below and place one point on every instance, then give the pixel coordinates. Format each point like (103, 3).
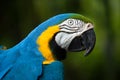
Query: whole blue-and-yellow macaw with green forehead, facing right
(39, 55)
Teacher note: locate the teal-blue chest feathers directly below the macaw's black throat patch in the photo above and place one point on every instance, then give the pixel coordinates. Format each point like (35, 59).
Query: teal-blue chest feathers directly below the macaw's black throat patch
(53, 71)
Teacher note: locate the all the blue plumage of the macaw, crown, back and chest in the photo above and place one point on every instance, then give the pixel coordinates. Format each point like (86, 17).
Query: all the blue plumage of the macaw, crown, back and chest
(24, 61)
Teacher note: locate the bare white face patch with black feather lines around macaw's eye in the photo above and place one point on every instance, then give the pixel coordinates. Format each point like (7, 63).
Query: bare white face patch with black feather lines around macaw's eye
(69, 29)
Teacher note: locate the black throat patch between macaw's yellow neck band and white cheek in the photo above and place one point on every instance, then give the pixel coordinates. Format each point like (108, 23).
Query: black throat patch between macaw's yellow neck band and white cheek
(58, 52)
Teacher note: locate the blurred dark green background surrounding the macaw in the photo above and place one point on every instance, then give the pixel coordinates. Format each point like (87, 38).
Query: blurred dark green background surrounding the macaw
(19, 17)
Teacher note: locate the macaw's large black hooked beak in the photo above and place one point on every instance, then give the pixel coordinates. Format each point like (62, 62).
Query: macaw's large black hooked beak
(84, 42)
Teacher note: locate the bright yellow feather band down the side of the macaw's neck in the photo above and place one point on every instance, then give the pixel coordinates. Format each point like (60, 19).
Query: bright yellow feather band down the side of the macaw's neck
(43, 43)
